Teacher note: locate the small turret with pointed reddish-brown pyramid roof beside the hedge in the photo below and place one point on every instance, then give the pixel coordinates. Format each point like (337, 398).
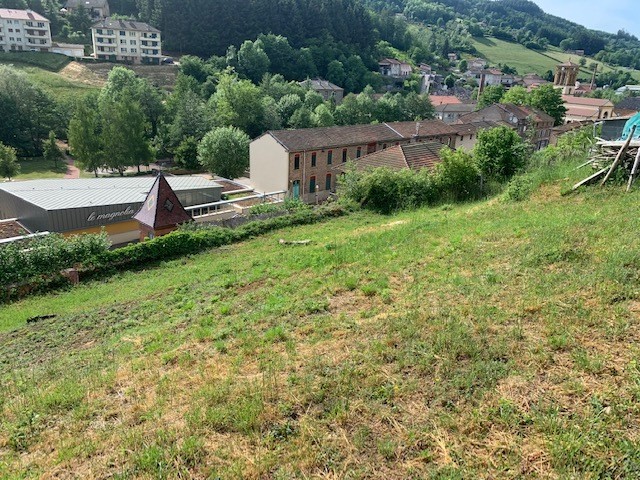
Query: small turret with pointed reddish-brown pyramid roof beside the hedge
(161, 212)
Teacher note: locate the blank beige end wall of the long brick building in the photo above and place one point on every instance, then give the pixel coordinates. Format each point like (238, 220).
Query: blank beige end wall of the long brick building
(268, 165)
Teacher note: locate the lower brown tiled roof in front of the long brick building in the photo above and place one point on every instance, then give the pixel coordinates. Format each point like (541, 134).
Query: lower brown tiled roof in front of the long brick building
(413, 156)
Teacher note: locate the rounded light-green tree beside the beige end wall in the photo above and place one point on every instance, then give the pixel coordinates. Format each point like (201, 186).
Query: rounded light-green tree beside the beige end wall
(225, 152)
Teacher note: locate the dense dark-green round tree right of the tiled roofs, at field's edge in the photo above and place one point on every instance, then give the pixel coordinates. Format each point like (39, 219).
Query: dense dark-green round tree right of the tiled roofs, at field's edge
(500, 153)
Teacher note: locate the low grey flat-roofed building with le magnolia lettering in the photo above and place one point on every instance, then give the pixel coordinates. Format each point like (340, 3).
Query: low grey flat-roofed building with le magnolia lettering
(87, 205)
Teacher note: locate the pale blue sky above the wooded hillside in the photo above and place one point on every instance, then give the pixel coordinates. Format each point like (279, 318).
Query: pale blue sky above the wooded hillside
(607, 15)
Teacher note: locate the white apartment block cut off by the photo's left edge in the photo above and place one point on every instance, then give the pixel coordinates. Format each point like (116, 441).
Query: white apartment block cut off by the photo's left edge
(24, 30)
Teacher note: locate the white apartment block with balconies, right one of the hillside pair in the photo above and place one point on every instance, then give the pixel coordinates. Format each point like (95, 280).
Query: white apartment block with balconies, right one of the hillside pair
(126, 41)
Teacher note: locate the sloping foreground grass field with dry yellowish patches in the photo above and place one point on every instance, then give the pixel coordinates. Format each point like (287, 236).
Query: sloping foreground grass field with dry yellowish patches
(485, 340)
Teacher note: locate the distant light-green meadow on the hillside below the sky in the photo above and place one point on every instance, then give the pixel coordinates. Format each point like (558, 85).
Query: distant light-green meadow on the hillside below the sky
(525, 60)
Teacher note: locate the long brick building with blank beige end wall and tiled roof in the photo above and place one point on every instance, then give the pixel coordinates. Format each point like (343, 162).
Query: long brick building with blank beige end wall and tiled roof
(301, 162)
